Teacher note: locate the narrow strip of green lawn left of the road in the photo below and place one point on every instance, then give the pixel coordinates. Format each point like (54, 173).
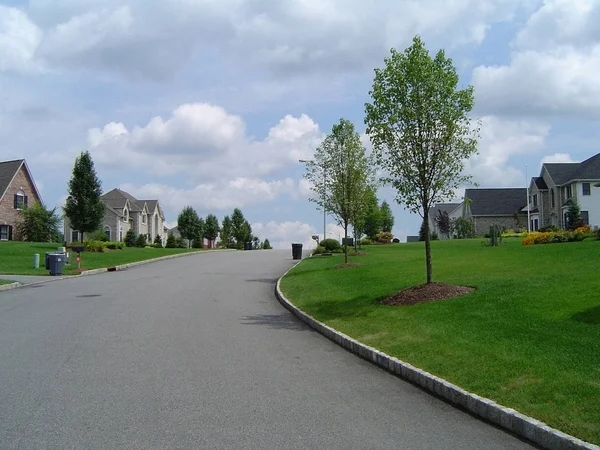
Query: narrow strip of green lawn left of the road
(16, 258)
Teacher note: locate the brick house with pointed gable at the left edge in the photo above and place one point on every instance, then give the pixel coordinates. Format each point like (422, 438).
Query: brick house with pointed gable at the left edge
(17, 191)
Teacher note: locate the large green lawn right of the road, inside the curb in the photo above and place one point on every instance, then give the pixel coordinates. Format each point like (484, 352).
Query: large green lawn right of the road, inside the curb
(528, 338)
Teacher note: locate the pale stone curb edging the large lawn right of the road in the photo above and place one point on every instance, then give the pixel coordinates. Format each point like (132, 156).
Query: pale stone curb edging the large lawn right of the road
(507, 418)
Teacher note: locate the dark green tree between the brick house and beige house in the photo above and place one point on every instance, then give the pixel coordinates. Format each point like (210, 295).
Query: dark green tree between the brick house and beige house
(83, 208)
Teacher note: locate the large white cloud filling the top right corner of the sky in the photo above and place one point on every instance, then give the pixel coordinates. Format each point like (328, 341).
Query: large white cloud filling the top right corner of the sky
(553, 66)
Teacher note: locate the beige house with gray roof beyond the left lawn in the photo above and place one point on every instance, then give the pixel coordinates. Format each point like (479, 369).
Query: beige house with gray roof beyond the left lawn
(124, 212)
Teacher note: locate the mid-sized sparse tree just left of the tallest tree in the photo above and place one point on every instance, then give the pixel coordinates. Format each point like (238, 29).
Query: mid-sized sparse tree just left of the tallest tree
(347, 174)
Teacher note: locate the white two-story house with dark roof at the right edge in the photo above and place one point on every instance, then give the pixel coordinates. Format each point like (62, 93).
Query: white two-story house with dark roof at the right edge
(560, 184)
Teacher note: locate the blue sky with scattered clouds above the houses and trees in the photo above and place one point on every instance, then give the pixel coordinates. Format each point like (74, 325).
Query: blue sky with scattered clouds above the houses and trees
(212, 103)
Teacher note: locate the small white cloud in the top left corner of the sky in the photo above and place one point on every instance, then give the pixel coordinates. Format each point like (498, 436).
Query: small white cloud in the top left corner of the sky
(19, 39)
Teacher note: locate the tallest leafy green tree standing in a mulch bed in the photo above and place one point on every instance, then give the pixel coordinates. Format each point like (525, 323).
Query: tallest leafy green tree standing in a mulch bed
(420, 129)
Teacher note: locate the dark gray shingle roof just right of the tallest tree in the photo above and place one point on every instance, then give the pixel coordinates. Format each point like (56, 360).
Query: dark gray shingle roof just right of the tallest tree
(496, 202)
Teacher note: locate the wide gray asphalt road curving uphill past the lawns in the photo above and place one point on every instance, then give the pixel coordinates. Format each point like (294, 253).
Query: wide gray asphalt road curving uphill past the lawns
(196, 353)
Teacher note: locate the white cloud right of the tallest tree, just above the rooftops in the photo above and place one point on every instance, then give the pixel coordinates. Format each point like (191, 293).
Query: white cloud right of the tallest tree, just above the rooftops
(500, 141)
